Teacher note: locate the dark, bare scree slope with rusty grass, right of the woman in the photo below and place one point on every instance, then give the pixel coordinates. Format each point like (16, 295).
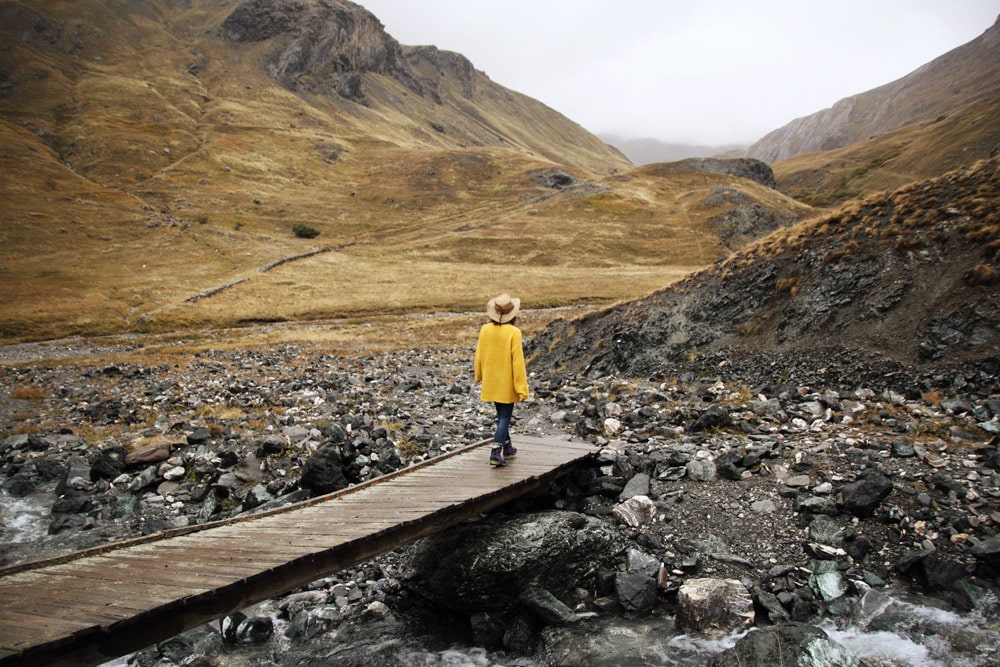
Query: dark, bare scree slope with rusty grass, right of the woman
(908, 280)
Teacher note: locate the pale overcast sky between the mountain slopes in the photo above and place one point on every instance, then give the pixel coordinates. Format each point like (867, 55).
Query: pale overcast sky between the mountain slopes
(690, 71)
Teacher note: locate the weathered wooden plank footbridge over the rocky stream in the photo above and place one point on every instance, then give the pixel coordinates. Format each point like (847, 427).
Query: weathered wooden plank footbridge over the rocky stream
(94, 605)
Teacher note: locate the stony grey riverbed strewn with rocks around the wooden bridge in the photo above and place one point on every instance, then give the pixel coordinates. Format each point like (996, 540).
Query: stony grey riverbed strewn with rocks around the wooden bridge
(817, 499)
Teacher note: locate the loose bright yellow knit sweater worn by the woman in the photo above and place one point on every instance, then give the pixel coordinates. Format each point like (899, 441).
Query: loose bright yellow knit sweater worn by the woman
(500, 364)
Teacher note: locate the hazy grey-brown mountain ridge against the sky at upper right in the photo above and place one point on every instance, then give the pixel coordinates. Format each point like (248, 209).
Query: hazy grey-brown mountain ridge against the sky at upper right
(962, 76)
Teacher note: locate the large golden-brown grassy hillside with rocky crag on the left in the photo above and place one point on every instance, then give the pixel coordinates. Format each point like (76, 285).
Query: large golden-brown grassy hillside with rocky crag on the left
(158, 155)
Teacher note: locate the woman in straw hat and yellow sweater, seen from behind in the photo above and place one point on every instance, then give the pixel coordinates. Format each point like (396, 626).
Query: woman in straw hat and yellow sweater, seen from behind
(500, 367)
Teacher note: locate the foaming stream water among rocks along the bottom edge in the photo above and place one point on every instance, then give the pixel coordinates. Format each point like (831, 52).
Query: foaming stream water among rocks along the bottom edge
(890, 632)
